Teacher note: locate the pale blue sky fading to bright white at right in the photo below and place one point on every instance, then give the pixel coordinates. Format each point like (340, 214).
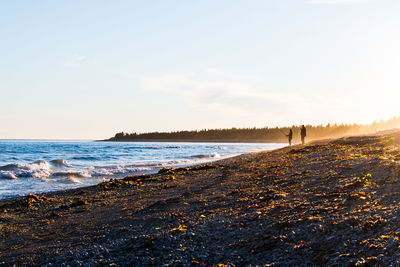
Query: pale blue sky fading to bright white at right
(82, 69)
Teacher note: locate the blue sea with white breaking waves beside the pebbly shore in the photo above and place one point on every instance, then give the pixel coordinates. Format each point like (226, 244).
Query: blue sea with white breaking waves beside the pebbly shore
(39, 166)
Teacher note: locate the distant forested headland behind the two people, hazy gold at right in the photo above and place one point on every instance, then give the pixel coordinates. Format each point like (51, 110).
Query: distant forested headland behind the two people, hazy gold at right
(266, 134)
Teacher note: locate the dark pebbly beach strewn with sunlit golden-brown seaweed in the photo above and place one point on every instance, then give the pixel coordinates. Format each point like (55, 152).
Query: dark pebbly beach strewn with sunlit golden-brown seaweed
(324, 203)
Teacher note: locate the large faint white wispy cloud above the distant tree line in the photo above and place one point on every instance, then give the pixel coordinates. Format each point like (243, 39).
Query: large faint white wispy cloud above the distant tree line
(224, 93)
